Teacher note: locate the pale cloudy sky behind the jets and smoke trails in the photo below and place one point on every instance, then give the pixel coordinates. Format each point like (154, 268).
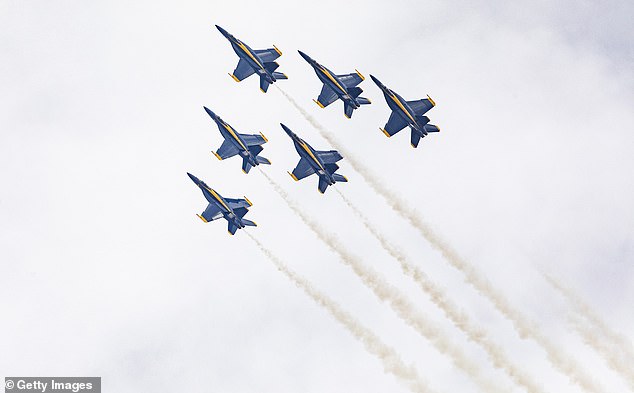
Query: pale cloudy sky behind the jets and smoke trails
(105, 269)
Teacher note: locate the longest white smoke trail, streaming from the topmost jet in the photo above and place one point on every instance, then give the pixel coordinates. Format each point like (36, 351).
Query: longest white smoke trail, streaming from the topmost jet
(524, 327)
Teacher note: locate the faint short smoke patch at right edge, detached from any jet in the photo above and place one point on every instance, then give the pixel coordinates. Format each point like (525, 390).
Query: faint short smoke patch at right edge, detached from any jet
(615, 349)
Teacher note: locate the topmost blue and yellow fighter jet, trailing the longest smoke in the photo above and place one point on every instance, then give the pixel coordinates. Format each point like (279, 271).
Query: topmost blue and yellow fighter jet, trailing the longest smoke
(259, 61)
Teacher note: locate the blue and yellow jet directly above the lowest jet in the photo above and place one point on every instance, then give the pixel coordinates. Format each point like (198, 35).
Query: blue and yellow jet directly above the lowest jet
(247, 146)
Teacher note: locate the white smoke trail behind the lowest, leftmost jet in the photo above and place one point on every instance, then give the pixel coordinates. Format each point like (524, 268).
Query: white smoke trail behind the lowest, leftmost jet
(392, 363)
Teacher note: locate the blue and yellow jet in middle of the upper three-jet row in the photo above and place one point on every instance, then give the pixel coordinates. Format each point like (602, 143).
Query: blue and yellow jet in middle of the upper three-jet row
(343, 87)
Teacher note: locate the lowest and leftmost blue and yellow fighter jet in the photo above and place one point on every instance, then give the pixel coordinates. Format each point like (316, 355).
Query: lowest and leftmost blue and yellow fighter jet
(231, 210)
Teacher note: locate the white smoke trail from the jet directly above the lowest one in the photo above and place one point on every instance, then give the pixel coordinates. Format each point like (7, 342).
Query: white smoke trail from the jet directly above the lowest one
(388, 293)
